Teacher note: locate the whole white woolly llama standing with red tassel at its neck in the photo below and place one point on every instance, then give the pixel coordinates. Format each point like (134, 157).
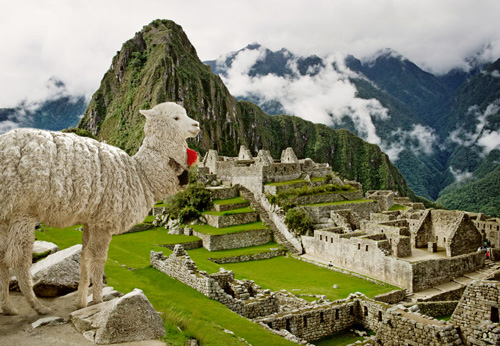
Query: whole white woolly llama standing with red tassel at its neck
(62, 179)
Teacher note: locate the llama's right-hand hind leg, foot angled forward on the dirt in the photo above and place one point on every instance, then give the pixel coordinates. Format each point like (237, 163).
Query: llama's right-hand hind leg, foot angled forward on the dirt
(22, 228)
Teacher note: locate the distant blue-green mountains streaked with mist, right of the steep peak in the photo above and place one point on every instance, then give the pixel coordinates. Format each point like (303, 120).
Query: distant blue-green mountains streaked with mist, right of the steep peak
(437, 129)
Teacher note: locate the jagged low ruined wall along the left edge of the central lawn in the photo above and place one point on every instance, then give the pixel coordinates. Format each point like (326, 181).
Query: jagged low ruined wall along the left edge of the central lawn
(243, 297)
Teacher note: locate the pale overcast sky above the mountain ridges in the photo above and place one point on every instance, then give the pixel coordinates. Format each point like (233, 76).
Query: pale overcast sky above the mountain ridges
(76, 40)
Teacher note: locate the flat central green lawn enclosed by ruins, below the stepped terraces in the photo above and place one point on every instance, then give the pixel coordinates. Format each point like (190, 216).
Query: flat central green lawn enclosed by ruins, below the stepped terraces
(300, 277)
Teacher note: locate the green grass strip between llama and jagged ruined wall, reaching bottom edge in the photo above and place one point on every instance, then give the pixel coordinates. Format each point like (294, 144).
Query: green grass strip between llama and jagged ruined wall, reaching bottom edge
(180, 306)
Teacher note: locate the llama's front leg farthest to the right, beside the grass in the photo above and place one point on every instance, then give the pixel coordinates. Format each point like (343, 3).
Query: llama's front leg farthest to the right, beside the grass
(99, 245)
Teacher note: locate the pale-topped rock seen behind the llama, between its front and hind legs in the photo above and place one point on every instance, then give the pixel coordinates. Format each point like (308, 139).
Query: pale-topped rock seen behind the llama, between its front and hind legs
(56, 274)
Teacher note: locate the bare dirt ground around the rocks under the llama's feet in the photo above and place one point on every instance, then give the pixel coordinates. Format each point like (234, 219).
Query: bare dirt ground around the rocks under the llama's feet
(17, 330)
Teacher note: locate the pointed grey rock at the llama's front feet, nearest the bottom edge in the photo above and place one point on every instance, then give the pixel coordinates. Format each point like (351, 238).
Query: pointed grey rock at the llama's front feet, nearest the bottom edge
(129, 318)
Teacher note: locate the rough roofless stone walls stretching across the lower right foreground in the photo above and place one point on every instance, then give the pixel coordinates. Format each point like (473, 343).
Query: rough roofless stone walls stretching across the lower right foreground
(474, 321)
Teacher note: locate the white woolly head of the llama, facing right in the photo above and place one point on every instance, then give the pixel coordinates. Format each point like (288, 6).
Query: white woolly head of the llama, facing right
(174, 113)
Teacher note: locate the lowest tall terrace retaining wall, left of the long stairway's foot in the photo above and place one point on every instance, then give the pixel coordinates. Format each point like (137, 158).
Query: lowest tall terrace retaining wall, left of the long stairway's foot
(234, 240)
